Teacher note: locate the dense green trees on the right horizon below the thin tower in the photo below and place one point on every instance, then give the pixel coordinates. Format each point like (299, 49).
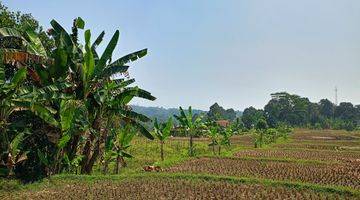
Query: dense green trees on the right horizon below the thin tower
(298, 111)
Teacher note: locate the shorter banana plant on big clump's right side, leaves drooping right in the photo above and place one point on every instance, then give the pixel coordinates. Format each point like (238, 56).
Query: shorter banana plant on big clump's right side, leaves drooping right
(112, 101)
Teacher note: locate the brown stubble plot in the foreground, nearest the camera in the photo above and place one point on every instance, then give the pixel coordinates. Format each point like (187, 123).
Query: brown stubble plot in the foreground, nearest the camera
(176, 189)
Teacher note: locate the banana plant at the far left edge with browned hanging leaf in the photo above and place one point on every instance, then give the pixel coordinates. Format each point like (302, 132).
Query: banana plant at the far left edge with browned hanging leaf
(28, 92)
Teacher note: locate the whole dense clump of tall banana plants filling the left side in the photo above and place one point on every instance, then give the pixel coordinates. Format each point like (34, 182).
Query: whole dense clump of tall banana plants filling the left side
(63, 107)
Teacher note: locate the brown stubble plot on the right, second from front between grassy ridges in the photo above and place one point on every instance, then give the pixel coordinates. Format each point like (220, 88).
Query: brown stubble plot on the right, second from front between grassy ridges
(339, 174)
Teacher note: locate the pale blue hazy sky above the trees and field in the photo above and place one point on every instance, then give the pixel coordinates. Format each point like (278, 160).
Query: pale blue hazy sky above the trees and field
(234, 52)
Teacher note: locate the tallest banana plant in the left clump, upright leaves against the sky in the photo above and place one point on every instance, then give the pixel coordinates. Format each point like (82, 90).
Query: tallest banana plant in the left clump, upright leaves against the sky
(91, 75)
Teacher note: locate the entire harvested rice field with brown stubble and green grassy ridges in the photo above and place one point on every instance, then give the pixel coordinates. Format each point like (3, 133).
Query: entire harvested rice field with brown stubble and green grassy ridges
(309, 165)
